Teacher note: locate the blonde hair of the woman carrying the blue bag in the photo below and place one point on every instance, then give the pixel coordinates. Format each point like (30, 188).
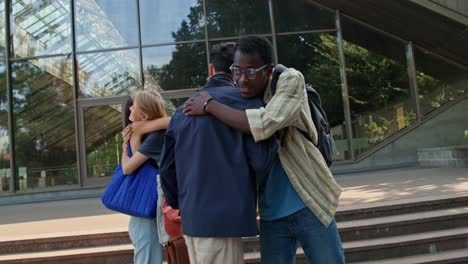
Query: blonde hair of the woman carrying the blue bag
(150, 103)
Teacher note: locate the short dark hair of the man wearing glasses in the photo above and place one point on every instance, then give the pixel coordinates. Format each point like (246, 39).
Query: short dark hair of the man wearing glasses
(253, 44)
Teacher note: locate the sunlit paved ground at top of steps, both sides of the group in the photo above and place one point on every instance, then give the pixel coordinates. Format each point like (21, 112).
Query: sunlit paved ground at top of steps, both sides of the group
(89, 215)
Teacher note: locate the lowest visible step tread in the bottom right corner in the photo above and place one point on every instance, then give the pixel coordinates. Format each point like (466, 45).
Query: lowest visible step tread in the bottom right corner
(452, 256)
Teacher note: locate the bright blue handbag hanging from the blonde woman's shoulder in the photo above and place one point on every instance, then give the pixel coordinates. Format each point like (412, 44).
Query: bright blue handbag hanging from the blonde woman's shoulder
(134, 194)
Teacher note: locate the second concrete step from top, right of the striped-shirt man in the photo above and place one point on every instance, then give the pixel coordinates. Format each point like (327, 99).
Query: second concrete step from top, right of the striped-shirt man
(404, 224)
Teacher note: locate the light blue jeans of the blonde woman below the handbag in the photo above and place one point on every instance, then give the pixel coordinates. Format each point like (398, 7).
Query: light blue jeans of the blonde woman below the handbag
(144, 235)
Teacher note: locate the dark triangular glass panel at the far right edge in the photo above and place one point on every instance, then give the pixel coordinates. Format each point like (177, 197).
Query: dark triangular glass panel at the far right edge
(439, 82)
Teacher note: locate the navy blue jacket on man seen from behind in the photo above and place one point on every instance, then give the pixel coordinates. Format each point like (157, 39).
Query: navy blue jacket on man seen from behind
(208, 169)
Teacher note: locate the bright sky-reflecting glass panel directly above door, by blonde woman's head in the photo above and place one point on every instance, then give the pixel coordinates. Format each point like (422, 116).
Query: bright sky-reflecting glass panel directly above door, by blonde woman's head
(108, 73)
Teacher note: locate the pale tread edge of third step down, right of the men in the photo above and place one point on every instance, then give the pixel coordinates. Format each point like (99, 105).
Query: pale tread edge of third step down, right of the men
(405, 240)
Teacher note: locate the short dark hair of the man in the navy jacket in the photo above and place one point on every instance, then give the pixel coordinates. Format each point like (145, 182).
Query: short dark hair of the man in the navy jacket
(222, 56)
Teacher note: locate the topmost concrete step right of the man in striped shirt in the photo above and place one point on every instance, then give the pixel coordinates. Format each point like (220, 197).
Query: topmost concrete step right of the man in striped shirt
(412, 205)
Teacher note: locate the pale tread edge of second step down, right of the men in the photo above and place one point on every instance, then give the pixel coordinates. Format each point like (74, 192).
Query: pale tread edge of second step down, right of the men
(404, 219)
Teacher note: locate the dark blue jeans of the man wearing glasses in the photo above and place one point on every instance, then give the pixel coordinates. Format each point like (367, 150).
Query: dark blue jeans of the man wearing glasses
(278, 239)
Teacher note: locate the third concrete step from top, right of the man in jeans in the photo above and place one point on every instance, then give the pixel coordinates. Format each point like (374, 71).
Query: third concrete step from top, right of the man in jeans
(406, 245)
